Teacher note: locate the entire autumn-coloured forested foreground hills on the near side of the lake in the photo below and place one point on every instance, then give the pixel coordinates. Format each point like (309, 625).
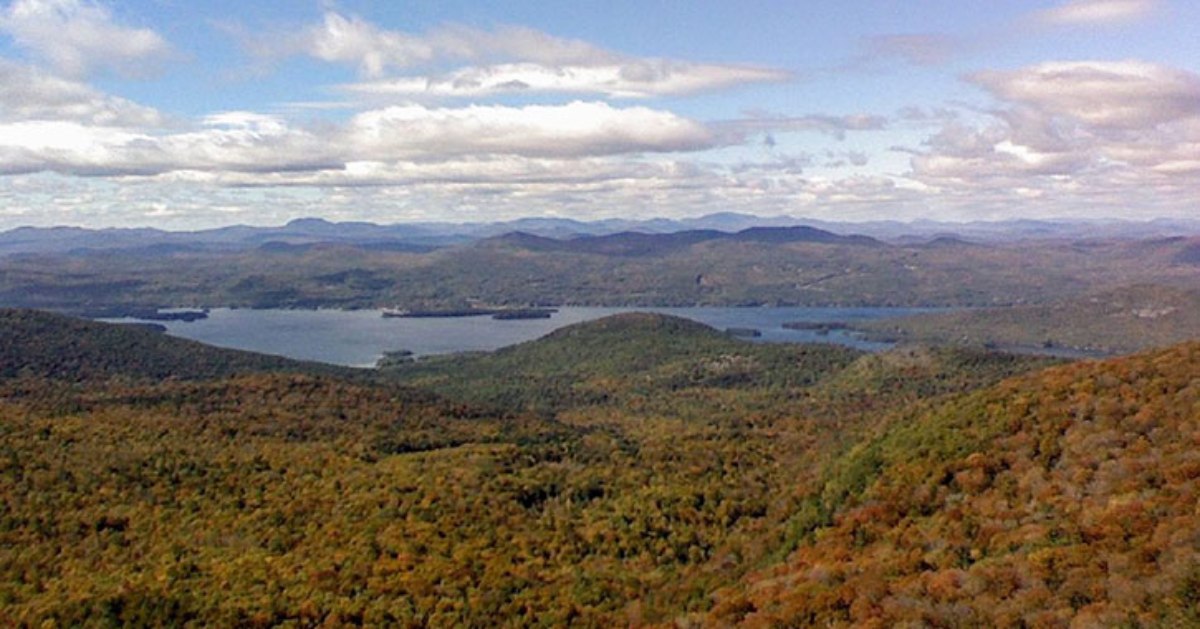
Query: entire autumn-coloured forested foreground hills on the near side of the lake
(638, 470)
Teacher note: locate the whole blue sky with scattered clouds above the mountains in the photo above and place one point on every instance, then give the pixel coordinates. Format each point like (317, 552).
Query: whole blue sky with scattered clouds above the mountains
(190, 115)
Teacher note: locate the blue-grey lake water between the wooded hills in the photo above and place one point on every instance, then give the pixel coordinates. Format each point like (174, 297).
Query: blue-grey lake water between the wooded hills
(359, 338)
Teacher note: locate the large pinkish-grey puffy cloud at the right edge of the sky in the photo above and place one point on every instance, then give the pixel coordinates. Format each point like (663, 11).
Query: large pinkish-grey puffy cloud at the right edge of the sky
(1072, 119)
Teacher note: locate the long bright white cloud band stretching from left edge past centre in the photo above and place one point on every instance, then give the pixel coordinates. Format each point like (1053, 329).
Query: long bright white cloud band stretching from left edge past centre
(247, 142)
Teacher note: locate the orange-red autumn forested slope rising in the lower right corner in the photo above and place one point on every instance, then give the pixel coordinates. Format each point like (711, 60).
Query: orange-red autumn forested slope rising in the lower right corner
(1064, 498)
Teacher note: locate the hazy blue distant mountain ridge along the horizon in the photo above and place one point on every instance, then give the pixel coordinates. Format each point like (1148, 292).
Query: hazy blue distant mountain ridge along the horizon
(419, 237)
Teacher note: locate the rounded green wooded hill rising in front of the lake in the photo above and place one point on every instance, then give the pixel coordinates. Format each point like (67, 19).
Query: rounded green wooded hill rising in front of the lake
(605, 361)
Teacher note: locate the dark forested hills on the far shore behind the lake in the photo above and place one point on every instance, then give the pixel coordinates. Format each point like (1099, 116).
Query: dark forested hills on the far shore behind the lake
(772, 267)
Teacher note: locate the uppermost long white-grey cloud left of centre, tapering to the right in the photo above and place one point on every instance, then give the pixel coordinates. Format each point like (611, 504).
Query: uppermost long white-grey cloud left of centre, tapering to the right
(503, 61)
